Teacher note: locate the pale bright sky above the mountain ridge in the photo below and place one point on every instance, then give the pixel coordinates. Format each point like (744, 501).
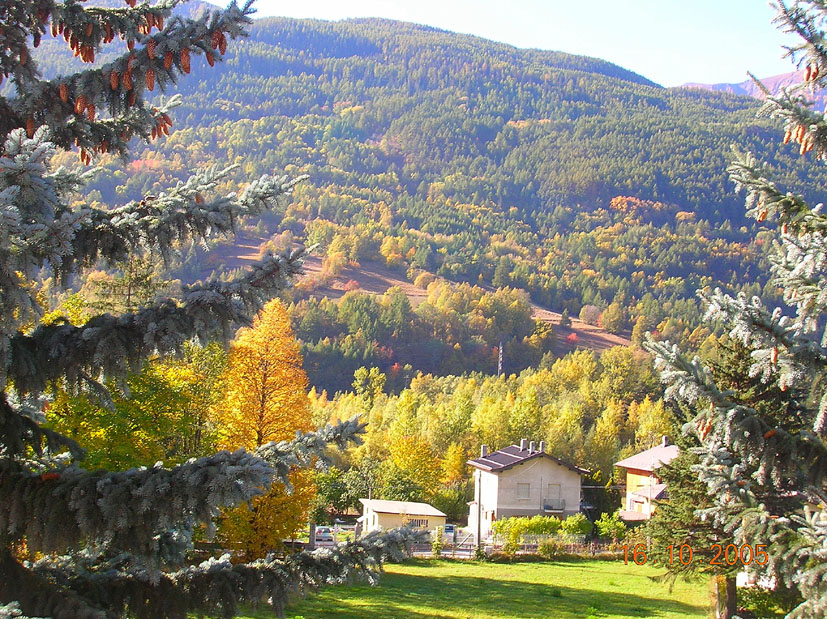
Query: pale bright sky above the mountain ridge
(669, 41)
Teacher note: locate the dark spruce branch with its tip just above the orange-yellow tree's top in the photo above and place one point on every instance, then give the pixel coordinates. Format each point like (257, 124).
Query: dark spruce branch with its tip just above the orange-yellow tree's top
(113, 346)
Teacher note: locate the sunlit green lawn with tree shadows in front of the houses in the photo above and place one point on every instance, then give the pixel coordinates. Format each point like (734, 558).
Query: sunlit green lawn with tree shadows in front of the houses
(465, 589)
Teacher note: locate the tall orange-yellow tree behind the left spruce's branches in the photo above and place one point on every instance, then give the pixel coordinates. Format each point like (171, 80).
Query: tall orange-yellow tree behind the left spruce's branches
(266, 401)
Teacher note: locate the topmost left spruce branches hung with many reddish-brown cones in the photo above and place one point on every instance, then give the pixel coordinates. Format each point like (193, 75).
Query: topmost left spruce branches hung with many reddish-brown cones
(71, 104)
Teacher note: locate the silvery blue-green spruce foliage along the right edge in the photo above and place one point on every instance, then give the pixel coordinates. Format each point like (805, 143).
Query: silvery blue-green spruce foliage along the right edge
(765, 469)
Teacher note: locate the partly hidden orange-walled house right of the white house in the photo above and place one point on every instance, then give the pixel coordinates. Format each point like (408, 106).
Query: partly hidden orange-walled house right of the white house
(643, 486)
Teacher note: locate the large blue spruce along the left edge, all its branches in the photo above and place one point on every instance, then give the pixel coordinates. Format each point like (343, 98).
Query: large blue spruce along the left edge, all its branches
(114, 543)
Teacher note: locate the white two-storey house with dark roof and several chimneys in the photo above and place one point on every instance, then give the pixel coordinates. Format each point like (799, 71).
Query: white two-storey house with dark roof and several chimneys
(521, 480)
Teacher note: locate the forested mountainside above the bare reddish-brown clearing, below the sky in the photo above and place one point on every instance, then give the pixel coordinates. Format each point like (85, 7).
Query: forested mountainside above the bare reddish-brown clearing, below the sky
(567, 176)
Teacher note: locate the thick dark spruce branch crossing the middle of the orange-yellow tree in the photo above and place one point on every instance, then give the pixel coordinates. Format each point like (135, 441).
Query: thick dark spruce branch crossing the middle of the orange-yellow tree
(126, 510)
